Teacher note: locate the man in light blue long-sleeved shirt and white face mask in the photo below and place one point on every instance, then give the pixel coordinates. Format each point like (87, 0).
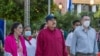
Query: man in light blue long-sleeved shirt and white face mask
(84, 42)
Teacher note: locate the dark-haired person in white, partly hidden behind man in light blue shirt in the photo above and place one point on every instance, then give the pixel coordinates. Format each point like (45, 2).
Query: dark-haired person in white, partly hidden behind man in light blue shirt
(68, 41)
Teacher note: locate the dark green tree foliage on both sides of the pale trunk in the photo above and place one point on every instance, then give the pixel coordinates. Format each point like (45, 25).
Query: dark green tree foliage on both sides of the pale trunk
(14, 10)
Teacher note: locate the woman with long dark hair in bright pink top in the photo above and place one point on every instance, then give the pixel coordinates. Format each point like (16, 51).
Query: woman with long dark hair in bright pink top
(14, 42)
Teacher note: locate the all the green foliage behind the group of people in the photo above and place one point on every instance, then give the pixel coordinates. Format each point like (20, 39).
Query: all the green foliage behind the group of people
(13, 10)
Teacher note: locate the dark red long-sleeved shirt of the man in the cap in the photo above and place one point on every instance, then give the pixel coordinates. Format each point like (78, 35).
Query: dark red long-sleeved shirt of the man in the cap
(50, 43)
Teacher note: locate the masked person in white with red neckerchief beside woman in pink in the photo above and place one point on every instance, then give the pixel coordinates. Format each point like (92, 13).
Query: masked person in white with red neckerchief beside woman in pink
(30, 42)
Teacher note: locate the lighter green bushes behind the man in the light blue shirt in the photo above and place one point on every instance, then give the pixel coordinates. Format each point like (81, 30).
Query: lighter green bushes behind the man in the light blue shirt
(65, 21)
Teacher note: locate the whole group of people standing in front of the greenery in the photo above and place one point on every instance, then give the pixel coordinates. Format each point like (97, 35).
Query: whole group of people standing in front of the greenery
(82, 40)
